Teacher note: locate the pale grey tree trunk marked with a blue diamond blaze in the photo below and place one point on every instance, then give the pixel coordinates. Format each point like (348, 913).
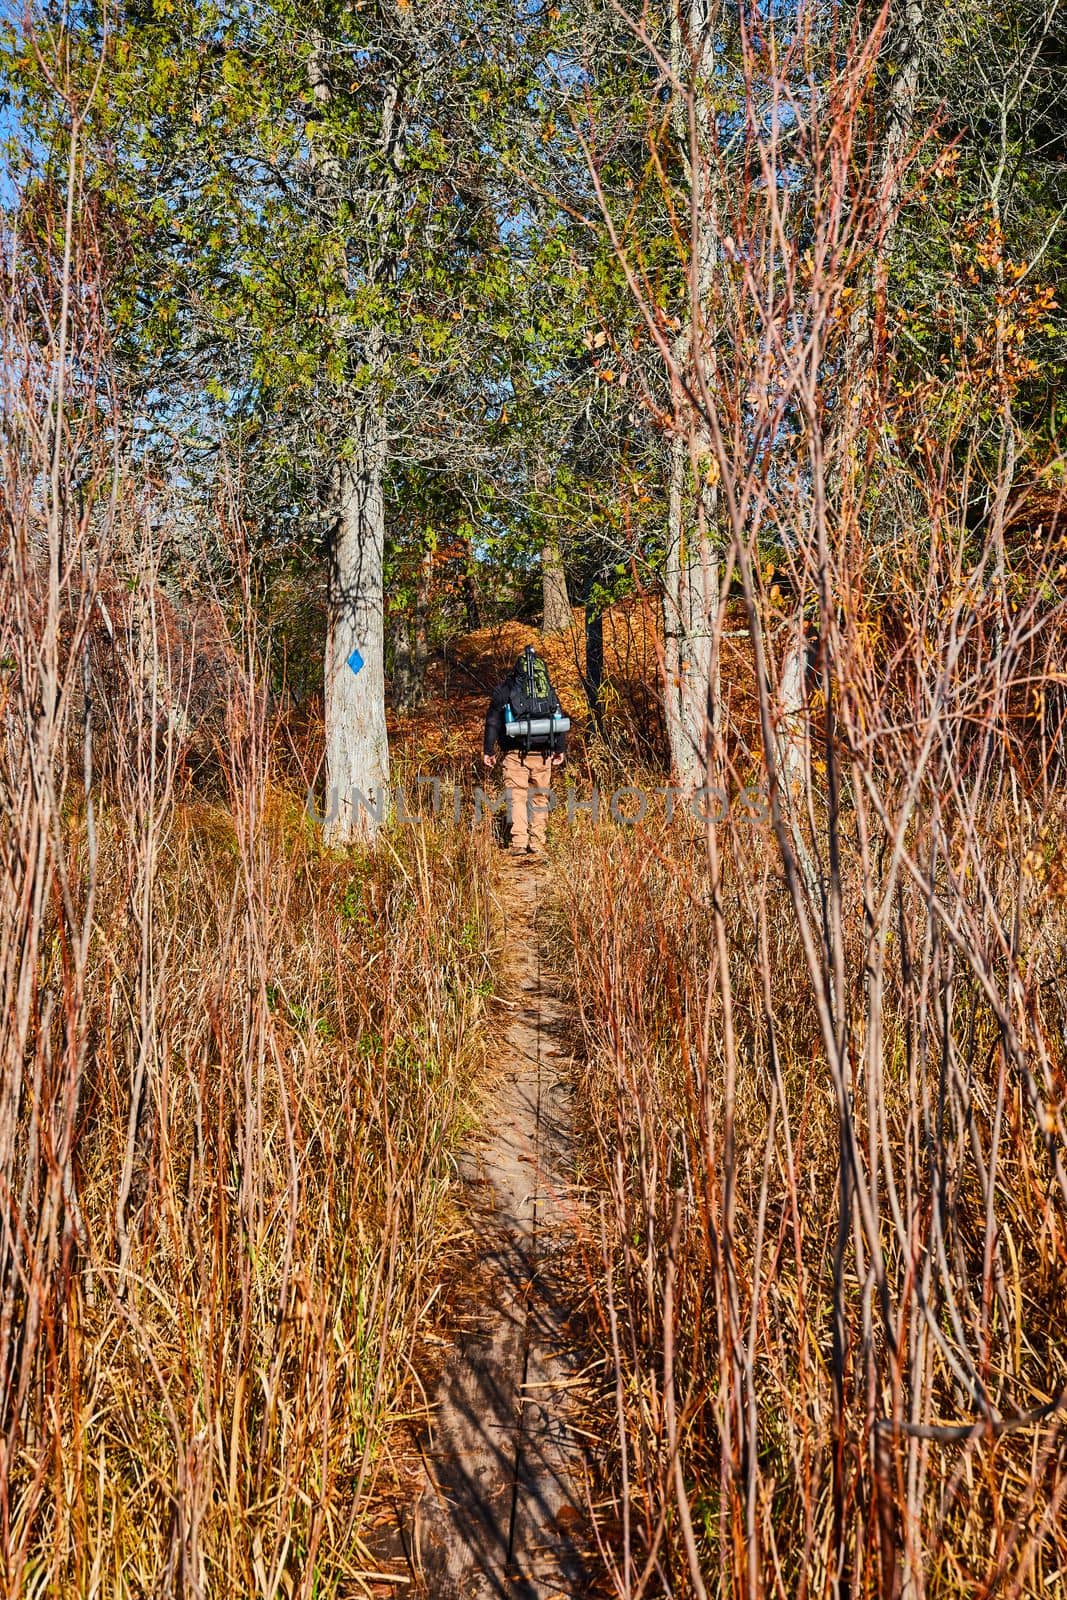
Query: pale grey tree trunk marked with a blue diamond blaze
(358, 748)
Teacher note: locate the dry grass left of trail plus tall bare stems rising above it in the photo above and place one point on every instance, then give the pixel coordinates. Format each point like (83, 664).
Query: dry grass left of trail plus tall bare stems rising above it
(234, 1068)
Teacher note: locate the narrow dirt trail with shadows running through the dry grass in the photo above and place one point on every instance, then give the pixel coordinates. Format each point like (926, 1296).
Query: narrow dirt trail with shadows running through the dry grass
(502, 1513)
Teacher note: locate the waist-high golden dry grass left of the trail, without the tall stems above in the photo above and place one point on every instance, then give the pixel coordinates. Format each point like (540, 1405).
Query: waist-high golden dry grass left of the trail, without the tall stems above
(278, 1057)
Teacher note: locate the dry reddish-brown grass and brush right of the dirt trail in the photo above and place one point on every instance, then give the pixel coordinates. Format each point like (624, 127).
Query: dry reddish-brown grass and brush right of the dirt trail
(764, 1417)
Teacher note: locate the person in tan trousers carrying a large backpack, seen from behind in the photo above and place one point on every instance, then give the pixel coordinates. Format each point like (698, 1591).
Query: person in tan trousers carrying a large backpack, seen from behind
(527, 722)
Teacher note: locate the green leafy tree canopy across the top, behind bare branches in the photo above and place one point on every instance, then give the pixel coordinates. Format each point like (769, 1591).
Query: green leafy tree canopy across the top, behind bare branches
(306, 210)
